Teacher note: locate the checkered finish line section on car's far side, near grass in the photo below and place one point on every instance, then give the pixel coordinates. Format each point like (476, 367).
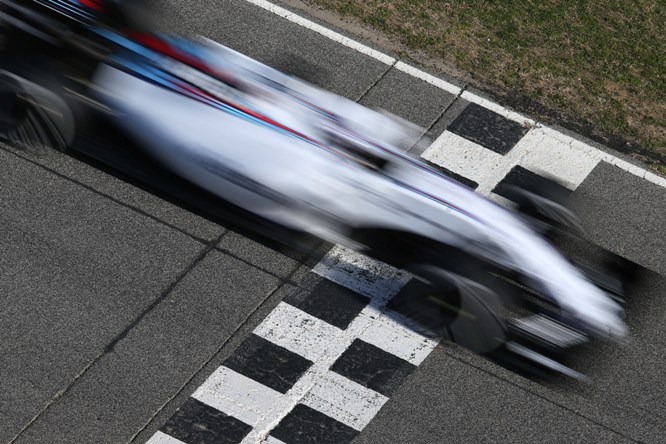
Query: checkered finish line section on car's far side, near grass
(484, 147)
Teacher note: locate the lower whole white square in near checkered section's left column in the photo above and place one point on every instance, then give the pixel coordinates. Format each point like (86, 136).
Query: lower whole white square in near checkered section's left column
(239, 396)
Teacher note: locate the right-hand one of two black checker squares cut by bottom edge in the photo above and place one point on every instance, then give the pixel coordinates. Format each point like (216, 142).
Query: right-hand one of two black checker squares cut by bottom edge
(304, 425)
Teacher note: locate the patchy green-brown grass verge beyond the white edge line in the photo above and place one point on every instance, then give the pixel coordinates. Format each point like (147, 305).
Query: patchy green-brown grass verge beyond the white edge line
(598, 66)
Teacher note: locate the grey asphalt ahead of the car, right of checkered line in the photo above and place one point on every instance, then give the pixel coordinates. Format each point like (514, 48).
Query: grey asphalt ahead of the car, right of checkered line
(462, 397)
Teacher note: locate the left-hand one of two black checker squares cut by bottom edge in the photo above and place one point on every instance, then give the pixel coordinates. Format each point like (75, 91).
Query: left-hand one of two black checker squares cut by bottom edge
(196, 422)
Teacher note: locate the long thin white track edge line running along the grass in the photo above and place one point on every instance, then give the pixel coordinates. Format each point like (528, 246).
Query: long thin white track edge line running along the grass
(466, 95)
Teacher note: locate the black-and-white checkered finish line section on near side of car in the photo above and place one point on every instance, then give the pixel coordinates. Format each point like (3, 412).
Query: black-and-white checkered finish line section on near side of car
(317, 369)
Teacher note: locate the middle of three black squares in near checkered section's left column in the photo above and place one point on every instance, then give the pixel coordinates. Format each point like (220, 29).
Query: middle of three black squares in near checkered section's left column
(268, 363)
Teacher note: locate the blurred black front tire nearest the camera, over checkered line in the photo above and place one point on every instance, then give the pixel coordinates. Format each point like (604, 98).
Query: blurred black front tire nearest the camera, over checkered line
(463, 309)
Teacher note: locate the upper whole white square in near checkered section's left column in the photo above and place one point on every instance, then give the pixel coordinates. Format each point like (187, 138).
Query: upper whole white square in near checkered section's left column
(297, 331)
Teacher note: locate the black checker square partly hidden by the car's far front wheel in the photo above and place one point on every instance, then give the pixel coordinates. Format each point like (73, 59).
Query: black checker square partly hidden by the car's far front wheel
(533, 182)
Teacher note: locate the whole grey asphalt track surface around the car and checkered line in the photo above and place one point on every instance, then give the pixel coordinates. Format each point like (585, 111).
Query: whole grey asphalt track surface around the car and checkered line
(118, 301)
